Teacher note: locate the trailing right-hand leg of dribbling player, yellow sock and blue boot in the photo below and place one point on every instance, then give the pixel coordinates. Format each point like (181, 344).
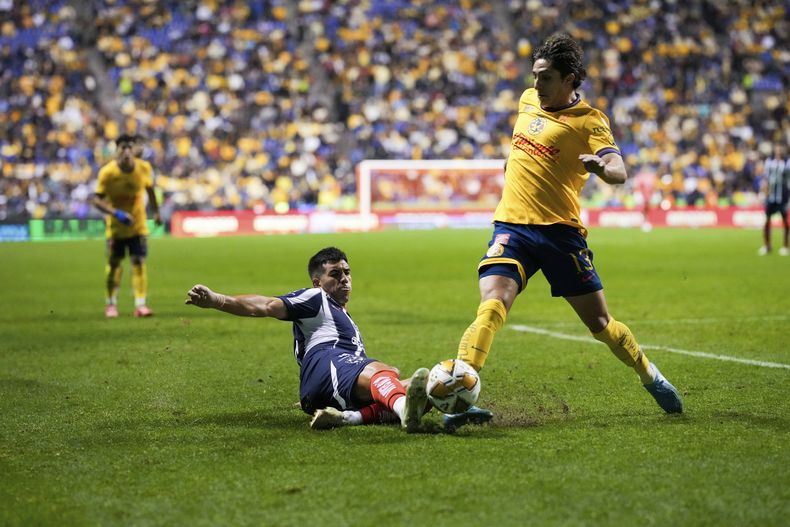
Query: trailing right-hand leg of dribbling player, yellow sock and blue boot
(593, 311)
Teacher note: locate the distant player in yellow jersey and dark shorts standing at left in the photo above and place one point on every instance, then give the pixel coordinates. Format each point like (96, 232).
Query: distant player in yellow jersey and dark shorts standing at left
(121, 194)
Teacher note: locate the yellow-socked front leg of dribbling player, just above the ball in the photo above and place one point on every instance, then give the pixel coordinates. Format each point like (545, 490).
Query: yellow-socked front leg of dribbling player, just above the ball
(497, 294)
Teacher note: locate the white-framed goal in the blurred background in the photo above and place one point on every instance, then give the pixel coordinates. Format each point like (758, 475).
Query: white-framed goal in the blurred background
(390, 185)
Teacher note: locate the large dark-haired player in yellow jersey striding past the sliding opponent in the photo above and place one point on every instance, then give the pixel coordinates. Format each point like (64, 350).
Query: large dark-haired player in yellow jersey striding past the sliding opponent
(558, 140)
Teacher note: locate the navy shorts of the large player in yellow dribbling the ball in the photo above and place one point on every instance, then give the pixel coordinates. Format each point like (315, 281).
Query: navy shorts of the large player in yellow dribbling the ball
(560, 251)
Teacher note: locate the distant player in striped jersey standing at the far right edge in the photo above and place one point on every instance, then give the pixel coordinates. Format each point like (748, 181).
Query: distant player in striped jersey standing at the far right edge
(776, 187)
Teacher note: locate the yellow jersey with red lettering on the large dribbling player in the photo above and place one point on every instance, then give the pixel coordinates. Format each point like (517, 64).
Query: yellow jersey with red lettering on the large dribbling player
(544, 177)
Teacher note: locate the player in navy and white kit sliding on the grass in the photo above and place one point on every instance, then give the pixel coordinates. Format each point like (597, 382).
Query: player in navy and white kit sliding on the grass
(339, 384)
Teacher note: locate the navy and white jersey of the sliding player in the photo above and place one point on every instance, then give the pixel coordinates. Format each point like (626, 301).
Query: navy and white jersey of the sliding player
(319, 322)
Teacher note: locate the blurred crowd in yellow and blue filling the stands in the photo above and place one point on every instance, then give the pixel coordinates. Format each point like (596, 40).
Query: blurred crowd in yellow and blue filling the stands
(270, 104)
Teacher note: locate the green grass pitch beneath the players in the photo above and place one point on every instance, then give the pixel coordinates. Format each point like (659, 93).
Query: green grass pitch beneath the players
(188, 418)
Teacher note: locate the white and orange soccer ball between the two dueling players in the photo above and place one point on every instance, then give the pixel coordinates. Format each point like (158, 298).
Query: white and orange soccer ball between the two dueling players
(453, 386)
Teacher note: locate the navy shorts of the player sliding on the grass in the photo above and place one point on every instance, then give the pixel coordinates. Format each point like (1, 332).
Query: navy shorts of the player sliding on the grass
(328, 377)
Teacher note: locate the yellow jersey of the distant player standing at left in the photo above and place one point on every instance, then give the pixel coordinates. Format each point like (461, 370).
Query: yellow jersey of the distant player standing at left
(126, 191)
